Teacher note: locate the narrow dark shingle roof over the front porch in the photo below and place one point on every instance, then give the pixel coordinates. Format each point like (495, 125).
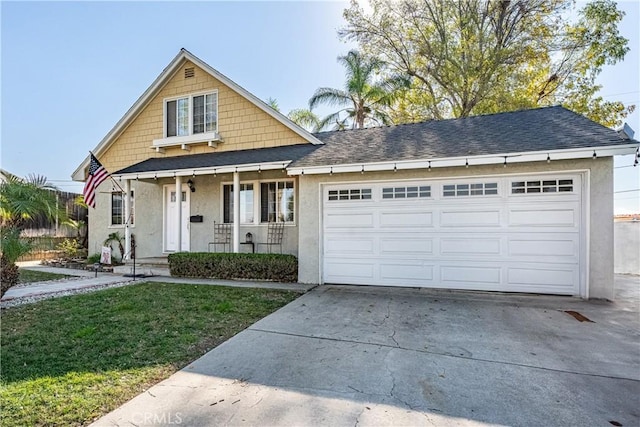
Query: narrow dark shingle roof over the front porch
(225, 158)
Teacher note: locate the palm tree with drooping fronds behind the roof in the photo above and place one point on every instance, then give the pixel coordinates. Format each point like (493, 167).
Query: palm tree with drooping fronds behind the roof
(364, 99)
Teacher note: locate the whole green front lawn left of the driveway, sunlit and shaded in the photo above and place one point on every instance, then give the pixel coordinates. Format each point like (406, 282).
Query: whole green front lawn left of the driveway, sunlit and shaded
(69, 360)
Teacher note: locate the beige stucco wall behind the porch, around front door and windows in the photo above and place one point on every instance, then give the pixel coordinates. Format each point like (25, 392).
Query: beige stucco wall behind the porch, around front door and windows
(205, 201)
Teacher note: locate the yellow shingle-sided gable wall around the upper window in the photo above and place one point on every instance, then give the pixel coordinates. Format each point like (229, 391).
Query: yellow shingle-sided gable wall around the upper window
(241, 124)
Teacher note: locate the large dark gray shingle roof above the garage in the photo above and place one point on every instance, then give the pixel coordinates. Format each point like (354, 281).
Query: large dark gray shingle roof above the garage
(542, 129)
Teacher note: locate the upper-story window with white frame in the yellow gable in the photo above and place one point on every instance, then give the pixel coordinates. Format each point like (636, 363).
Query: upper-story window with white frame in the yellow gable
(191, 115)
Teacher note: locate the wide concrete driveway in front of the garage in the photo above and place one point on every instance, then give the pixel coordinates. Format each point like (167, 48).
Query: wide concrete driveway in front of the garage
(392, 356)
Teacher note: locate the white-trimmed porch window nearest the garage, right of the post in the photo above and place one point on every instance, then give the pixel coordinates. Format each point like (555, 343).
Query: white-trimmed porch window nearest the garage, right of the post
(277, 201)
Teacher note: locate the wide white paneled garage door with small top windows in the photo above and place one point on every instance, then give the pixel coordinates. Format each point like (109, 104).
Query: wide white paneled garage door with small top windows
(515, 234)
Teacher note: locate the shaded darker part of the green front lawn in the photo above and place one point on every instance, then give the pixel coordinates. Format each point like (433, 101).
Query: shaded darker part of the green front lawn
(130, 327)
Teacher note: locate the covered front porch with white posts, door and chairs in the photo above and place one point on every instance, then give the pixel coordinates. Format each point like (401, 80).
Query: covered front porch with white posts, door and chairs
(254, 193)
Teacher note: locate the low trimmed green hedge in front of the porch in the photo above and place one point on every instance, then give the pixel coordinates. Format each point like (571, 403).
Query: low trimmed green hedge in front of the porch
(275, 267)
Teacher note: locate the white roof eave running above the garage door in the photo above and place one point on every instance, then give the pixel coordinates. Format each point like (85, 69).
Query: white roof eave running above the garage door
(489, 159)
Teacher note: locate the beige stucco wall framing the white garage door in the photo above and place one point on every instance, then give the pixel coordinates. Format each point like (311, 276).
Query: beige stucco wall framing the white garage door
(600, 214)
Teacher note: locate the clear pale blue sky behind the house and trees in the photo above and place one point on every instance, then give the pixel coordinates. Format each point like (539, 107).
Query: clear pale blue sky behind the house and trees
(70, 70)
